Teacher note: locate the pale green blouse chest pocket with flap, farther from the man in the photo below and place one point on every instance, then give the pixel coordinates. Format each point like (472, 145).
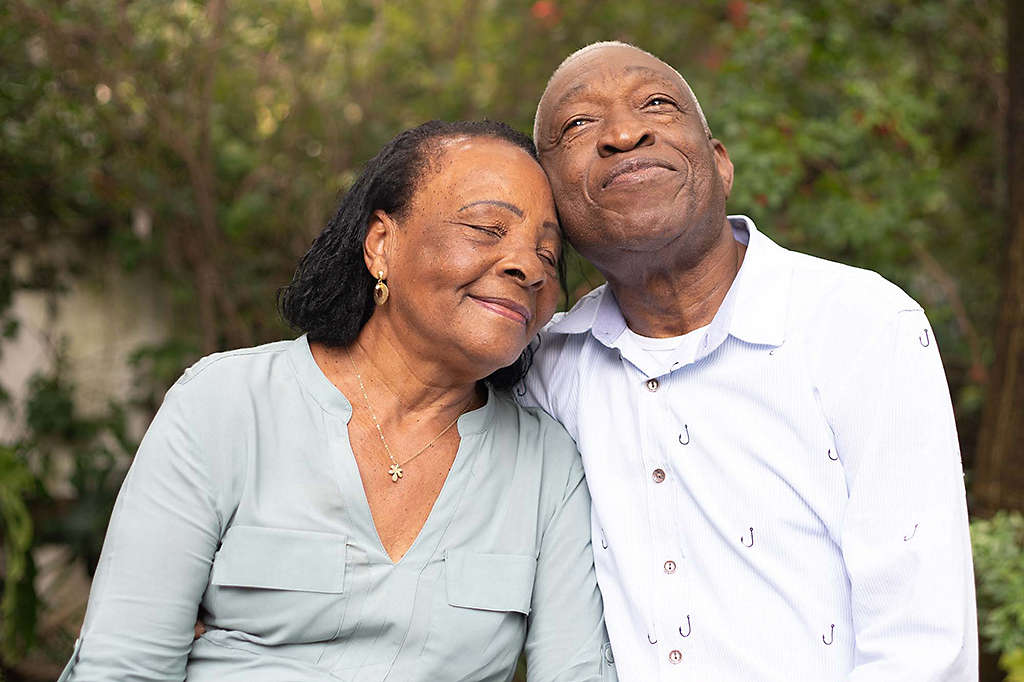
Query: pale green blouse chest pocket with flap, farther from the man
(281, 586)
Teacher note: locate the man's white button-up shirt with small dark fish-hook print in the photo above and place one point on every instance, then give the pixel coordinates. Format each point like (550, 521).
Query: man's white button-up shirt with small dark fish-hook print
(787, 503)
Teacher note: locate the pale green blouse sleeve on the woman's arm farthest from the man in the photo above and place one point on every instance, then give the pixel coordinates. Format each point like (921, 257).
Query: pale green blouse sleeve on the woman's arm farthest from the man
(156, 560)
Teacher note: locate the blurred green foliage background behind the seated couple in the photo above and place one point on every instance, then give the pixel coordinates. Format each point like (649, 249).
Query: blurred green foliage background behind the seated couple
(206, 144)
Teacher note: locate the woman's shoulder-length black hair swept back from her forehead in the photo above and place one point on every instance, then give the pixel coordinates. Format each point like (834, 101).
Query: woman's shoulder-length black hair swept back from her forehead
(331, 295)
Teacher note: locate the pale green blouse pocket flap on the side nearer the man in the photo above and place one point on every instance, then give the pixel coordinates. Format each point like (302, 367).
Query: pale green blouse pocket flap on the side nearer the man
(490, 582)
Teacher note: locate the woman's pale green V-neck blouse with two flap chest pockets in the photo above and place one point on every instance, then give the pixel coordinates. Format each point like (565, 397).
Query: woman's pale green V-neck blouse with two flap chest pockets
(245, 501)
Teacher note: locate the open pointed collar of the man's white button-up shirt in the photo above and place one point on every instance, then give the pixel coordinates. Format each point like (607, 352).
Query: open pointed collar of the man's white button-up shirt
(754, 310)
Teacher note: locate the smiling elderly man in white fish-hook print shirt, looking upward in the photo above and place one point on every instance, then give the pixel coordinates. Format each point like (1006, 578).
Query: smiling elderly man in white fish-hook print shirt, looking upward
(767, 437)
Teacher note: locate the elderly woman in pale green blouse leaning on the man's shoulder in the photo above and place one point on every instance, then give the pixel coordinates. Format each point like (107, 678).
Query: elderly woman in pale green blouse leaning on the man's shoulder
(367, 502)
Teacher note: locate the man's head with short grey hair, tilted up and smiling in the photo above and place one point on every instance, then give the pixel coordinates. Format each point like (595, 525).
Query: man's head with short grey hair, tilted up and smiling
(629, 159)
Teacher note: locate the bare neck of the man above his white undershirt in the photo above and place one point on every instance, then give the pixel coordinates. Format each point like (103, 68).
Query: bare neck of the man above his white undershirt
(671, 297)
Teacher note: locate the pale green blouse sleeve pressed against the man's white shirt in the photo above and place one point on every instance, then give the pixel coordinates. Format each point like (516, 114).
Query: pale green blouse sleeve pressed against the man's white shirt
(566, 638)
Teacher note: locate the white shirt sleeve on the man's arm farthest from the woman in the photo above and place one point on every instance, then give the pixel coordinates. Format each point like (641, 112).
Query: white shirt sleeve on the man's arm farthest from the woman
(905, 534)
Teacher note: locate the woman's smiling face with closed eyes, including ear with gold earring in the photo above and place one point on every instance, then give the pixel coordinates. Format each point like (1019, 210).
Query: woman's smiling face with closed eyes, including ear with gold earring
(473, 266)
